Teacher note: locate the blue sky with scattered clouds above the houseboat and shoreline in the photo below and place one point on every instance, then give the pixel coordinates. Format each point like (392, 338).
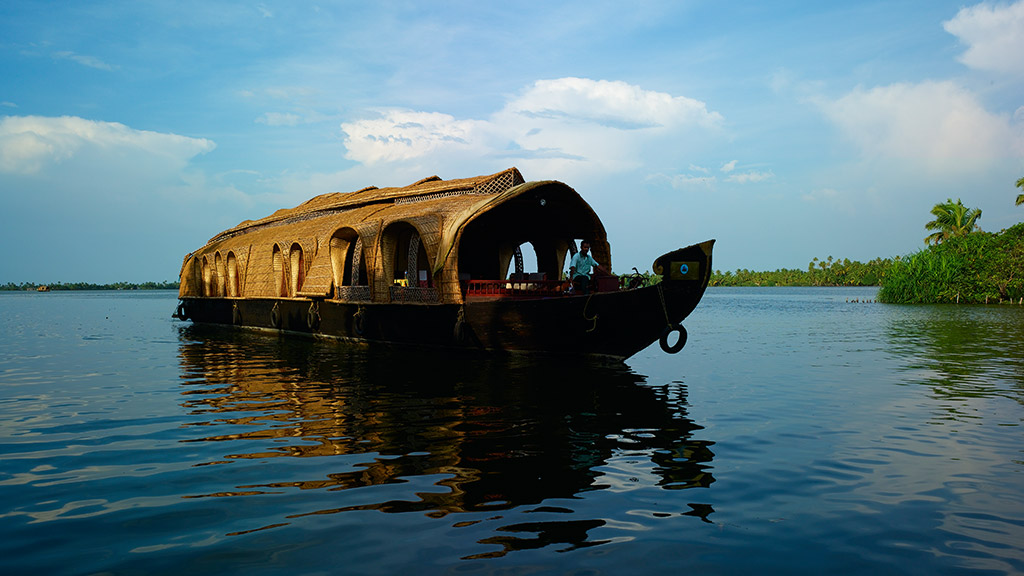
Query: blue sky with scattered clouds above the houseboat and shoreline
(132, 133)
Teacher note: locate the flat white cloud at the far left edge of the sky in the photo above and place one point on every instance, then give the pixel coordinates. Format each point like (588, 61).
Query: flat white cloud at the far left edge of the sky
(31, 144)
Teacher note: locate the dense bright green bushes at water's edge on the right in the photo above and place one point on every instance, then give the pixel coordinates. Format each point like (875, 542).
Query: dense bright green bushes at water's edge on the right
(978, 268)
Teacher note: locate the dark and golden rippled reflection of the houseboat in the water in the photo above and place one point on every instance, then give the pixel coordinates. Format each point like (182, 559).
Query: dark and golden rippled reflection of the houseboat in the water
(495, 434)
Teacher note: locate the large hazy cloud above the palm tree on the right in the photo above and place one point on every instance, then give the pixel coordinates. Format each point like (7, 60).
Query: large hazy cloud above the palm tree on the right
(940, 124)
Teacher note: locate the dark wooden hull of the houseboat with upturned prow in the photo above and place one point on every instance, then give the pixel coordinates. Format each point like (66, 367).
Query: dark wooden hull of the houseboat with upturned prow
(616, 324)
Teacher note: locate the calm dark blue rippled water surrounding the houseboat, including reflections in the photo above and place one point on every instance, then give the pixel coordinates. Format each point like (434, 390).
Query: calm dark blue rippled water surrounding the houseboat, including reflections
(798, 432)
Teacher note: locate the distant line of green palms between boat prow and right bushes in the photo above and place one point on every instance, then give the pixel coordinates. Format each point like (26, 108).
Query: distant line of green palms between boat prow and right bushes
(829, 272)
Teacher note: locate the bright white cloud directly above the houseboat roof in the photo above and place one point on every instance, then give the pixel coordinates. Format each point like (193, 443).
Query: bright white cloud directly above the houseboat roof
(571, 121)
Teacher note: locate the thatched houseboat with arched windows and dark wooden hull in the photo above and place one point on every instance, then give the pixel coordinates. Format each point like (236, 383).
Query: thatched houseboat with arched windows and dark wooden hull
(441, 264)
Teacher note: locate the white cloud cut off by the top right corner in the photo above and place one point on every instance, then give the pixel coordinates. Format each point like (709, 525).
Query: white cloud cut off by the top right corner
(994, 34)
